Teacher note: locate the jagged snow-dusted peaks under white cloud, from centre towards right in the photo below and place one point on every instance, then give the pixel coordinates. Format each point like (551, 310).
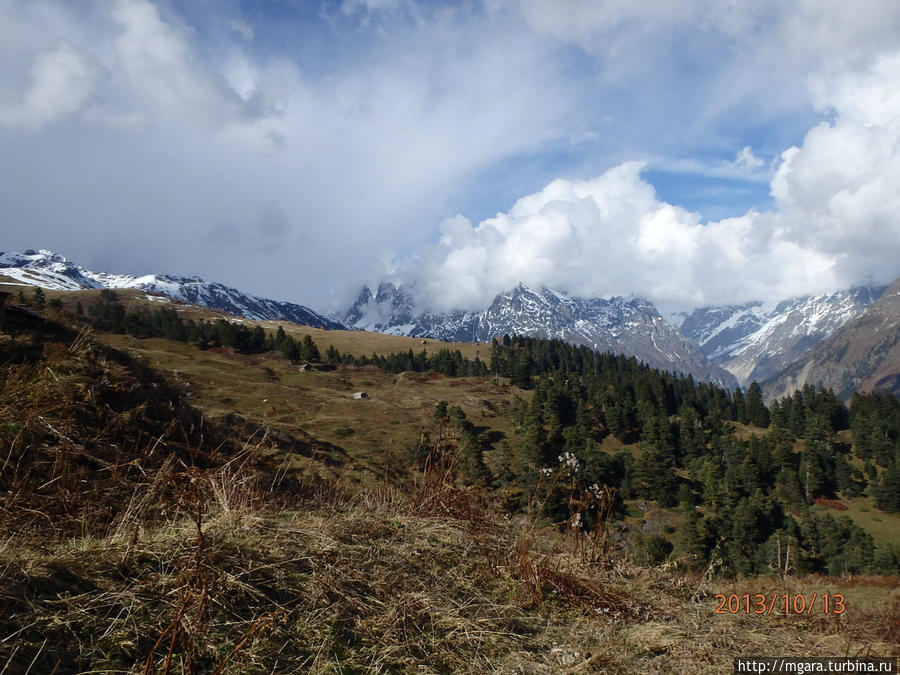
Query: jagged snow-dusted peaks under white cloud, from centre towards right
(729, 345)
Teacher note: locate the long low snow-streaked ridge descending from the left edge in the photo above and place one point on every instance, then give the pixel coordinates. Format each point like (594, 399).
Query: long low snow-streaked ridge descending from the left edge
(50, 270)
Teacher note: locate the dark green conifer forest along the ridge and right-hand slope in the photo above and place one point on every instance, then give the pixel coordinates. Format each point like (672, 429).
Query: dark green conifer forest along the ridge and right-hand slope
(745, 501)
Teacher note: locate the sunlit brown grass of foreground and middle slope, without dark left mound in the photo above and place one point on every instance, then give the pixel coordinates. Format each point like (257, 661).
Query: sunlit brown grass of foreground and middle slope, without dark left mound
(349, 578)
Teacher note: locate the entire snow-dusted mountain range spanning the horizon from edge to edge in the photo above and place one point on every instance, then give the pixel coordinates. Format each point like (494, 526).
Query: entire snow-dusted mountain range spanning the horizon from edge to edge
(783, 344)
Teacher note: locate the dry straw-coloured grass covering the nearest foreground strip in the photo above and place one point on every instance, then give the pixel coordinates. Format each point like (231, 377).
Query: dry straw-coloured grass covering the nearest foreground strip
(368, 581)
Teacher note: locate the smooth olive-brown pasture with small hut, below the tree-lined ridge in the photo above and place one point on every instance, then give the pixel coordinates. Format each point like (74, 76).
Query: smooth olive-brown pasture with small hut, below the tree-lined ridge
(270, 391)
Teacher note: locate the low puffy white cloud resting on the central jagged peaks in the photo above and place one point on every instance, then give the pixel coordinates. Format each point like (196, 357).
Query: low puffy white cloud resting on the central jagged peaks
(612, 236)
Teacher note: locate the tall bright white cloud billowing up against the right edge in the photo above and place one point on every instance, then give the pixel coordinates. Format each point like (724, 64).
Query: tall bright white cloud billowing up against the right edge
(838, 192)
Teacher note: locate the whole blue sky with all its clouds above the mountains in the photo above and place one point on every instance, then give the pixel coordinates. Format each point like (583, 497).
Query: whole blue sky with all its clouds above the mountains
(694, 153)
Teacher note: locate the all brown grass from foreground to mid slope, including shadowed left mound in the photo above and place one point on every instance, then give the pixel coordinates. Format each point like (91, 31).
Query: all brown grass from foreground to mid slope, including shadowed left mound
(129, 544)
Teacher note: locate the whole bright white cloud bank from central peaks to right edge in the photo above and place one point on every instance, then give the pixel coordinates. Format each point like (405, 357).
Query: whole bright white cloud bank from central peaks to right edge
(836, 221)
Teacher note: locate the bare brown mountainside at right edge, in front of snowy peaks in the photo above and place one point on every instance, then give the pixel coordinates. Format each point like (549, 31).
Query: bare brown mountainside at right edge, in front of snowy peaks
(862, 355)
